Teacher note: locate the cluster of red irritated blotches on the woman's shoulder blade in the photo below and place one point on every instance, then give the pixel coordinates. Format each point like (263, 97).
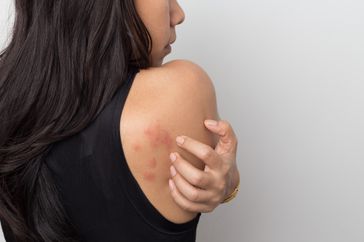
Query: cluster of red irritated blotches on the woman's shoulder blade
(157, 137)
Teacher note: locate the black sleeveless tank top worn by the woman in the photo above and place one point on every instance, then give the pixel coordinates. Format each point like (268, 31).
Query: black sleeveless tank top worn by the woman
(99, 193)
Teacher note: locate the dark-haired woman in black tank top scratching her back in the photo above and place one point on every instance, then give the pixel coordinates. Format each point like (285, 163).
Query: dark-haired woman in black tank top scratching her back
(90, 117)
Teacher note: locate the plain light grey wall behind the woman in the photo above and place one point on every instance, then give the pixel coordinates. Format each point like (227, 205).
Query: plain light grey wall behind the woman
(289, 76)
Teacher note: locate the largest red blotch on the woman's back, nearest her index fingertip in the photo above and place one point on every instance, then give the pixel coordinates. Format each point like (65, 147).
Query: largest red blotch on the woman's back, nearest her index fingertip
(158, 136)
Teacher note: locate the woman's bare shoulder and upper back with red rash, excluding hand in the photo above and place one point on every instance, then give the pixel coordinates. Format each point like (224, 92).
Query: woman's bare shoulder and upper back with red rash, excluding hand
(165, 102)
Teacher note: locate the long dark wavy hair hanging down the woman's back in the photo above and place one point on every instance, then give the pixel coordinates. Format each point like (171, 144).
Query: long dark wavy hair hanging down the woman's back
(65, 61)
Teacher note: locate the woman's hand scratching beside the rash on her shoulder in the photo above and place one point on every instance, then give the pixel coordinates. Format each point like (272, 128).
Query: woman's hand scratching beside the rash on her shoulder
(202, 191)
